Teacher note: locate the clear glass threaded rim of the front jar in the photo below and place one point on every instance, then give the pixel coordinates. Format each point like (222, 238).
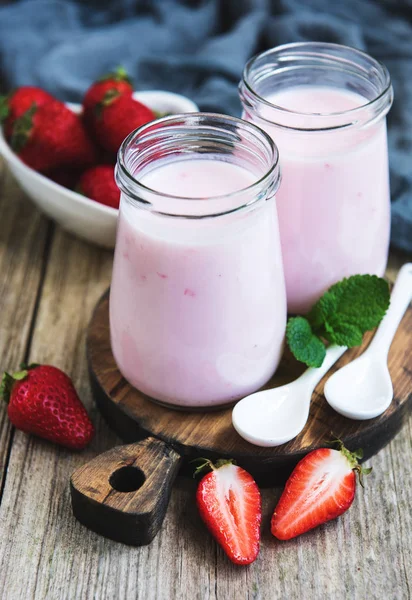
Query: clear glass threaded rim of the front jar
(131, 186)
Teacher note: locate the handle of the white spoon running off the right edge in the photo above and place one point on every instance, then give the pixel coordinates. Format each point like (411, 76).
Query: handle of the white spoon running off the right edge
(400, 299)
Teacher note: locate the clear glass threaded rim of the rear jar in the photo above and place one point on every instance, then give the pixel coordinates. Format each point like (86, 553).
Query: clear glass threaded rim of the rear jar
(320, 46)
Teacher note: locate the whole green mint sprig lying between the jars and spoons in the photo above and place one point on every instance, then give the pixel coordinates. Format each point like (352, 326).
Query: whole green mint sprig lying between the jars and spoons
(341, 316)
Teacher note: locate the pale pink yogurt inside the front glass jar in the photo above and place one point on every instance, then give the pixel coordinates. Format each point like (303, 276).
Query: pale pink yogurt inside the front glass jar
(197, 306)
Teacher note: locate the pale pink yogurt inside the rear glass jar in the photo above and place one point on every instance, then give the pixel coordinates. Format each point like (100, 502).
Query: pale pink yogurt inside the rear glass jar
(333, 204)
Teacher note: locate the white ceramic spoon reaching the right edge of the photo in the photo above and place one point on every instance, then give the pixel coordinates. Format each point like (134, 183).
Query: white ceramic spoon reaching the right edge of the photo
(363, 388)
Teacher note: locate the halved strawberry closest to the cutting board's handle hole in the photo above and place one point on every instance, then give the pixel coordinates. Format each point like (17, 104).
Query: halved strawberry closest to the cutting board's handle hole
(229, 503)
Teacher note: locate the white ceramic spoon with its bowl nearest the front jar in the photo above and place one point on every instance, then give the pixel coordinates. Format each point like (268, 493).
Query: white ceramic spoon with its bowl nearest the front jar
(273, 417)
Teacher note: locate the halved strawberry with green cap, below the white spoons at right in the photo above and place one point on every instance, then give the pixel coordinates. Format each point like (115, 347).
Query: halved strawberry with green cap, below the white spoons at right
(321, 487)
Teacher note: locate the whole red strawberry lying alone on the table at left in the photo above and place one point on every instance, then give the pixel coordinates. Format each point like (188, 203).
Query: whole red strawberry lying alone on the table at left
(42, 401)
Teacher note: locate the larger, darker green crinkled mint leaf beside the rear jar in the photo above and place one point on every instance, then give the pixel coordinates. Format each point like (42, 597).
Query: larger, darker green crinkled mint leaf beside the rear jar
(349, 308)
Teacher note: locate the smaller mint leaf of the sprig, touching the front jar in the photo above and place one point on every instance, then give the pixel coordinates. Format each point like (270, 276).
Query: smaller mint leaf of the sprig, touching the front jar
(303, 343)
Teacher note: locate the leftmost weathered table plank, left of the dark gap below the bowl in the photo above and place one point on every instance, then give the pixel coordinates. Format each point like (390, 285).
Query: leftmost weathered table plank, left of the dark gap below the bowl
(23, 233)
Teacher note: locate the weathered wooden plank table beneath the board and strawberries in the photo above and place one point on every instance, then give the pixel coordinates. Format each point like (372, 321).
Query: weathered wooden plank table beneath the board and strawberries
(49, 284)
